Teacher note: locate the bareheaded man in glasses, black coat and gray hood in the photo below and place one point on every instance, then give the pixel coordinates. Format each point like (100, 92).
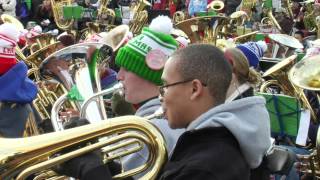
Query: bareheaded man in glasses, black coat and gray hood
(222, 140)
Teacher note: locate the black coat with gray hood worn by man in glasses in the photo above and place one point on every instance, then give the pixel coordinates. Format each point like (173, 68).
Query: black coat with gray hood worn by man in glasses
(206, 150)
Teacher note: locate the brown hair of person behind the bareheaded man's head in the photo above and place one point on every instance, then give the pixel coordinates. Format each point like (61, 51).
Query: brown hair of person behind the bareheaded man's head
(240, 66)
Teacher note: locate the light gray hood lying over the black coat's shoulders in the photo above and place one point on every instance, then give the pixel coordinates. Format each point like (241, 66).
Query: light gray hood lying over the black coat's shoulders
(247, 119)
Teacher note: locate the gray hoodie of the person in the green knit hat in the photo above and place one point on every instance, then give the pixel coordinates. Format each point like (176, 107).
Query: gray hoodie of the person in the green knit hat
(171, 136)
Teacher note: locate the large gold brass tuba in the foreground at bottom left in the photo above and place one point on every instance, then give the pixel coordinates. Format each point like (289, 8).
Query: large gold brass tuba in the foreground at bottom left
(20, 158)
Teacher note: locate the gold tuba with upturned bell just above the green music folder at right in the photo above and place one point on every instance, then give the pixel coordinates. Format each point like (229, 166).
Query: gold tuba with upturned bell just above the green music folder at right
(279, 73)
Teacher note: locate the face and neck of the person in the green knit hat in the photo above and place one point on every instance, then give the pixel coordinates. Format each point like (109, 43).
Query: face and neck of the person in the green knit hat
(136, 89)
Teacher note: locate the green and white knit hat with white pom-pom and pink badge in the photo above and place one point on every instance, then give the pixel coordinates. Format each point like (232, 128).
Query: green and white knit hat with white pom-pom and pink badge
(146, 53)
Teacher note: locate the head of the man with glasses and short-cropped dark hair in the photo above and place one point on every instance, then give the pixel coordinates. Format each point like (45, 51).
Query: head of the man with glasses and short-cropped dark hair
(193, 83)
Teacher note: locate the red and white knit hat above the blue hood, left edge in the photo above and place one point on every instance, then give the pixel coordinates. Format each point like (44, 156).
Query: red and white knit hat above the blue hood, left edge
(9, 36)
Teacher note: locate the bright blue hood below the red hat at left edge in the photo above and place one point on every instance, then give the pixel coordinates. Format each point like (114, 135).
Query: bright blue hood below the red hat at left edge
(16, 86)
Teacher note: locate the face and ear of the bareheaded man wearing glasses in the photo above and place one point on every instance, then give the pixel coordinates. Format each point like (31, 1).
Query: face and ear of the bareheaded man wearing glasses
(182, 99)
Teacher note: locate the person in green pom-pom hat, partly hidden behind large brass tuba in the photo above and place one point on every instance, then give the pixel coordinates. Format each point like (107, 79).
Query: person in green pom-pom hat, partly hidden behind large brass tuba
(141, 62)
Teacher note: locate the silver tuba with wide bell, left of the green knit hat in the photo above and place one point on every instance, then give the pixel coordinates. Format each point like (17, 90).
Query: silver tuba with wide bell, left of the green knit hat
(77, 69)
